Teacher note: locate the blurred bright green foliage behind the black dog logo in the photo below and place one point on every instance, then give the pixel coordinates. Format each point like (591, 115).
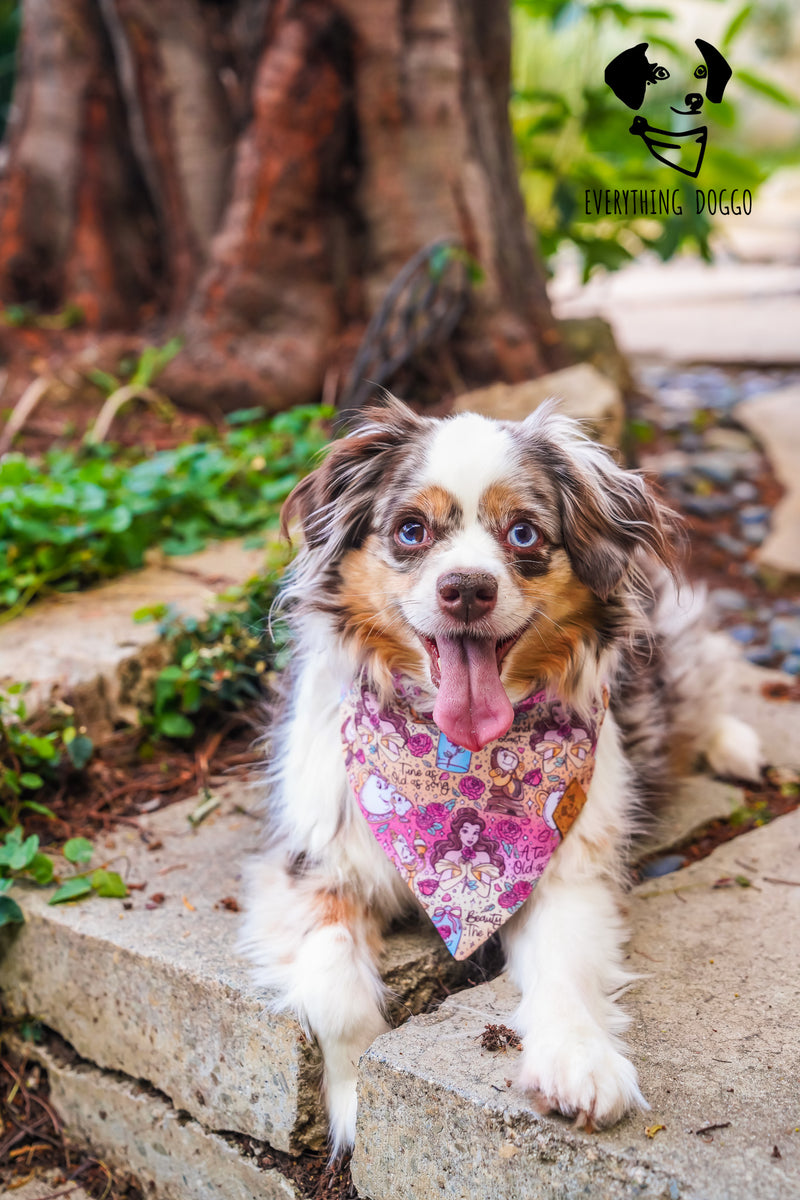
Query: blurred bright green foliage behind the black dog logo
(572, 134)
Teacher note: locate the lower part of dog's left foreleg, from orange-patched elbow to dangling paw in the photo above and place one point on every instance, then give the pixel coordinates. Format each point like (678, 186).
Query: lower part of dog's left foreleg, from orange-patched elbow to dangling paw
(316, 946)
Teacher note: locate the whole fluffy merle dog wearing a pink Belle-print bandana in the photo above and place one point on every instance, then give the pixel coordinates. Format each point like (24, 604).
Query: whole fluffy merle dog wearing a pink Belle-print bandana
(466, 573)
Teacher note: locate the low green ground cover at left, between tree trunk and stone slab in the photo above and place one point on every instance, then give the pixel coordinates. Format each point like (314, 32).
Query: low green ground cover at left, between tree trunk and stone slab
(80, 517)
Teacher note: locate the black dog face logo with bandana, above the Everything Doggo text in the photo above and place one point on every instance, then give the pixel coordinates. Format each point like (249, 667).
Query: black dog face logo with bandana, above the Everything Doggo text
(631, 74)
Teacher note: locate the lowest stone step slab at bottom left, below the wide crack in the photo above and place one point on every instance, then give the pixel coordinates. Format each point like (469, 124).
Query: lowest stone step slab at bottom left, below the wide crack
(135, 1130)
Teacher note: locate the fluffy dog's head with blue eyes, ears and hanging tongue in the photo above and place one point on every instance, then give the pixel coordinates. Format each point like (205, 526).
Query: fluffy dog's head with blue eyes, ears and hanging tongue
(478, 557)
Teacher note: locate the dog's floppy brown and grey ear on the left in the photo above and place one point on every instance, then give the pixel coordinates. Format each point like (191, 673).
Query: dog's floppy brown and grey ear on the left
(335, 503)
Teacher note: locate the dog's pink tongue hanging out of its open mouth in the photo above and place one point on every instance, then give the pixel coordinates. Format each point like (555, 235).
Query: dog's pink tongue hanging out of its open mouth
(472, 707)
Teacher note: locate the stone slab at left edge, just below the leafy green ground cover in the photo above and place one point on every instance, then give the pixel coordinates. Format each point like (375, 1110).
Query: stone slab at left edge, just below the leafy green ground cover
(77, 641)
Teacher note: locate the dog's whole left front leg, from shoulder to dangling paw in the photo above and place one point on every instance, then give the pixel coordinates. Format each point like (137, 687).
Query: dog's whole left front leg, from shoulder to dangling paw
(318, 897)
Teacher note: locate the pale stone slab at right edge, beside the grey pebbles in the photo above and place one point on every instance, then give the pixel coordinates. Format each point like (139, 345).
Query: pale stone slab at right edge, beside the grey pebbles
(774, 419)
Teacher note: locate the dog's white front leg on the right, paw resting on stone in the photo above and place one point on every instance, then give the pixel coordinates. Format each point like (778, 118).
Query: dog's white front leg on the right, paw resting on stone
(566, 953)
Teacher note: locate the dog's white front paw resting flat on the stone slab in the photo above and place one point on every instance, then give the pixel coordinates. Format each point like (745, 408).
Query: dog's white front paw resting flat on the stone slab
(582, 1076)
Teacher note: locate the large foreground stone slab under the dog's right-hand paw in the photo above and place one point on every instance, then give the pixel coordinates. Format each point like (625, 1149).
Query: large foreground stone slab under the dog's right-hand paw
(715, 1039)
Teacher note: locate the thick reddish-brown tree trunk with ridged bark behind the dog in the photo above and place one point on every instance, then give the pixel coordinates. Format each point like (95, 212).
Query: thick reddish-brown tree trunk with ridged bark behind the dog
(257, 173)
